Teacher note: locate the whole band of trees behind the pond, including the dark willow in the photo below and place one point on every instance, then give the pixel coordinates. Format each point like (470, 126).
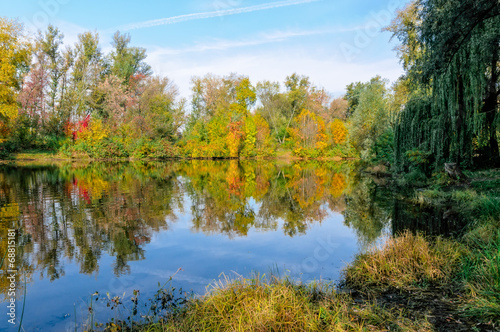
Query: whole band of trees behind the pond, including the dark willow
(86, 104)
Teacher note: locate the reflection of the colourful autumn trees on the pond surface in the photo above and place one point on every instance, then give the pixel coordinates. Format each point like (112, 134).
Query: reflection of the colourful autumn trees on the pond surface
(80, 211)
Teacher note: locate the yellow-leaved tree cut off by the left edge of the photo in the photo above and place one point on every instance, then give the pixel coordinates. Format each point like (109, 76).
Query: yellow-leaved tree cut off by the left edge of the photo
(15, 54)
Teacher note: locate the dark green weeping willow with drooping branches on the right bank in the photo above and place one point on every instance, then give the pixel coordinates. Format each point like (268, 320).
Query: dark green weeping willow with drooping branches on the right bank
(452, 113)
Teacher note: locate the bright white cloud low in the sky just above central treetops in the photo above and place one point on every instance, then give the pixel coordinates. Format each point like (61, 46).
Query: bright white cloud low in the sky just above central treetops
(329, 72)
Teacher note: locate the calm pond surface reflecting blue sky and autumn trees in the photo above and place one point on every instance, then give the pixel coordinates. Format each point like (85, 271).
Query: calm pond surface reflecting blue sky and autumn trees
(113, 228)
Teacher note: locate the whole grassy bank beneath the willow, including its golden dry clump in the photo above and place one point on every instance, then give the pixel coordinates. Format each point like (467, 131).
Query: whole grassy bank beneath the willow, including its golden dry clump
(455, 281)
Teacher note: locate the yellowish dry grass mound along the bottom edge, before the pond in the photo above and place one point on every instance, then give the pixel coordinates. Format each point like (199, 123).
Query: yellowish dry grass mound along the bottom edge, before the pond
(278, 305)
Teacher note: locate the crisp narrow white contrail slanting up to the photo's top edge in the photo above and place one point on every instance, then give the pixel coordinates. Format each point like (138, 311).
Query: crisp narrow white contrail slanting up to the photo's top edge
(217, 13)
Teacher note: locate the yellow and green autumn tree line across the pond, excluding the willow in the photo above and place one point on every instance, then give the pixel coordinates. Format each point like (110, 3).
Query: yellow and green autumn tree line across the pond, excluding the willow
(84, 103)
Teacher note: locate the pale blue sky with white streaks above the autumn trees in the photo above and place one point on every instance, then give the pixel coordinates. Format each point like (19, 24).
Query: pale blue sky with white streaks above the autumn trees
(334, 42)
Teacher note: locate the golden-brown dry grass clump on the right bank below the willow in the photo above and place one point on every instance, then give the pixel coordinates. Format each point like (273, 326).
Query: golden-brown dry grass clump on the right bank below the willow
(405, 262)
